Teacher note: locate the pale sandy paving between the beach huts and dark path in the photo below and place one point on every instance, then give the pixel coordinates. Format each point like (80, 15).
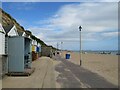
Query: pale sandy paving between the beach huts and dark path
(43, 76)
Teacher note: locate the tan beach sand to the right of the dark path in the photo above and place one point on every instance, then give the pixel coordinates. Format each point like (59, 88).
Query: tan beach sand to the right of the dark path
(104, 65)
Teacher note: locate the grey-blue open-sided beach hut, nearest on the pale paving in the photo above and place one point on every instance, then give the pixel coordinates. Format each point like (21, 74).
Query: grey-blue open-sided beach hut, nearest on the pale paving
(19, 53)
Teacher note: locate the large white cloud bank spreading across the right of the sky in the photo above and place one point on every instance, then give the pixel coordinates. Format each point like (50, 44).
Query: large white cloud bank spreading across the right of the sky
(98, 20)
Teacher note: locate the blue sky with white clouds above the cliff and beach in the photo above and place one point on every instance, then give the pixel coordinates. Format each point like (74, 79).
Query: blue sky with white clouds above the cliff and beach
(56, 22)
